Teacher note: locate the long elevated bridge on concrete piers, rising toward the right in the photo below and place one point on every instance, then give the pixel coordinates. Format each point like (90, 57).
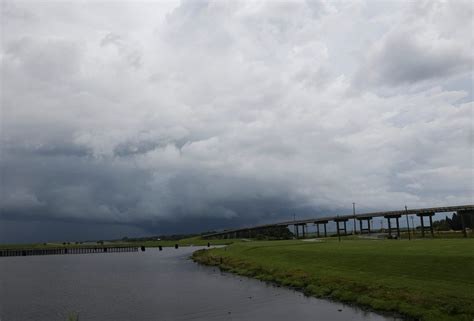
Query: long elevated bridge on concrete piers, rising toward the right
(364, 220)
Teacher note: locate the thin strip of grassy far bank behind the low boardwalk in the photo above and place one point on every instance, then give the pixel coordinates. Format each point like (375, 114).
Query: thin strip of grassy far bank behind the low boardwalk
(196, 241)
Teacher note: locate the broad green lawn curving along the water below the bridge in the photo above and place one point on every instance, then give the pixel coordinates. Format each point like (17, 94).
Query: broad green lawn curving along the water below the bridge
(421, 279)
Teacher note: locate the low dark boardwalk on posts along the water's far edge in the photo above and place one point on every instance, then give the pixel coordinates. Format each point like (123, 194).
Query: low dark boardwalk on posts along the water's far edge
(57, 251)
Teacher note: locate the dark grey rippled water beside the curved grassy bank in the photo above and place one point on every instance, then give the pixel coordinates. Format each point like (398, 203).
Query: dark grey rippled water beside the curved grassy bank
(149, 285)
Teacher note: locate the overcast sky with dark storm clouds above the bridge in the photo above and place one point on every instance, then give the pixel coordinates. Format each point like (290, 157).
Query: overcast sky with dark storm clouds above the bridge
(129, 118)
